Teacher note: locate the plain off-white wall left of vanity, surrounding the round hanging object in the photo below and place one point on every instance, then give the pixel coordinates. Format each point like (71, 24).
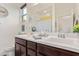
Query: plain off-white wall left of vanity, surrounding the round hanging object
(9, 27)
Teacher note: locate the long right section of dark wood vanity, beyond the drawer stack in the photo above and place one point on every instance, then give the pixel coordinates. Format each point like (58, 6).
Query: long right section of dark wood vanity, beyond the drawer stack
(44, 50)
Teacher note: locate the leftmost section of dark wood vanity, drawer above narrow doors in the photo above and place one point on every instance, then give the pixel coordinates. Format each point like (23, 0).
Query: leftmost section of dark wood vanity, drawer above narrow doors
(20, 47)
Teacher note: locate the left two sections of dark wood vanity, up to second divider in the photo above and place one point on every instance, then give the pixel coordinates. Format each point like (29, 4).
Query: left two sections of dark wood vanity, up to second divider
(25, 47)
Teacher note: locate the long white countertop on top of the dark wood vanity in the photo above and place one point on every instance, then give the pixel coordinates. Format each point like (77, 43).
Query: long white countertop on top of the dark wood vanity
(71, 44)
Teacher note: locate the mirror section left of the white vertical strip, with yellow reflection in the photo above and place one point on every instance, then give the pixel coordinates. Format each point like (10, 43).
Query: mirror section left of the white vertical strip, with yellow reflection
(40, 17)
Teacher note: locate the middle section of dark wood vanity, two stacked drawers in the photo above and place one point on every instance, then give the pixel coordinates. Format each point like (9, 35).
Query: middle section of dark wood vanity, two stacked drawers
(31, 48)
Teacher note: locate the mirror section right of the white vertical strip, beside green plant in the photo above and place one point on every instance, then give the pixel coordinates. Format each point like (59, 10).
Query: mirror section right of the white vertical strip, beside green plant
(65, 17)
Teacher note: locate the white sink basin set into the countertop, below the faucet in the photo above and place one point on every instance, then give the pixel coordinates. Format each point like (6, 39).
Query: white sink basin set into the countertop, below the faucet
(60, 40)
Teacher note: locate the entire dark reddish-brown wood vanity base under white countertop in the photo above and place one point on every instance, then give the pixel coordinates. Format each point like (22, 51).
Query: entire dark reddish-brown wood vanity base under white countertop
(29, 48)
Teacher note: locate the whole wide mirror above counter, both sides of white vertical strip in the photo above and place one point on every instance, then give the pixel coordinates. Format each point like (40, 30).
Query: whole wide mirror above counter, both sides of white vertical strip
(52, 17)
